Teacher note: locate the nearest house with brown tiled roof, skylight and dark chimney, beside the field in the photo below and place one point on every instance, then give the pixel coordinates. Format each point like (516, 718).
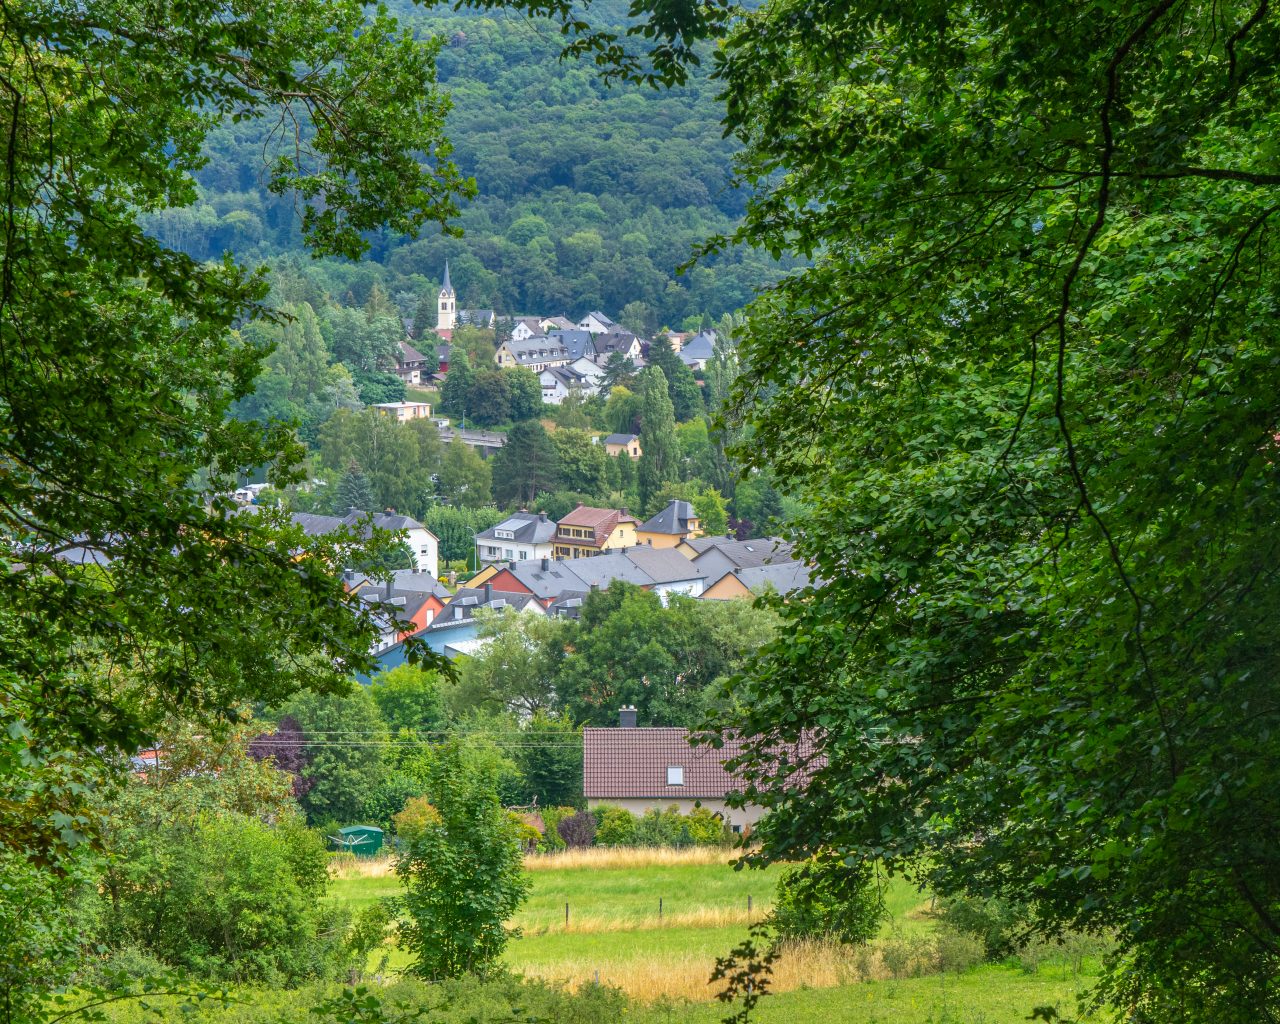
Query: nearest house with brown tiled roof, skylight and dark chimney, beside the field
(644, 769)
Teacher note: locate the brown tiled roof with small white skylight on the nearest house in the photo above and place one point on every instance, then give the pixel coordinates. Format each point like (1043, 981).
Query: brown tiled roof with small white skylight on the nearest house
(621, 764)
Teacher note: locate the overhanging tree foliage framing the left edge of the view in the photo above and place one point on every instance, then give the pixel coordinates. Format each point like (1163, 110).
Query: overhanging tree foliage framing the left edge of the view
(122, 364)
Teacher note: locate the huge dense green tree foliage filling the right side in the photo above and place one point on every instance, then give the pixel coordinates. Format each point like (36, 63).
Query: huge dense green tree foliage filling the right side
(1030, 408)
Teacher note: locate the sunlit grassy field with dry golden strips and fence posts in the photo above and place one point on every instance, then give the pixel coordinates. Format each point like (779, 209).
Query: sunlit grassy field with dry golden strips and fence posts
(615, 936)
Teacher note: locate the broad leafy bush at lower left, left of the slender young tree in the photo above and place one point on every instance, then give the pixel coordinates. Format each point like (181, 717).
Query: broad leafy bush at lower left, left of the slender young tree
(211, 871)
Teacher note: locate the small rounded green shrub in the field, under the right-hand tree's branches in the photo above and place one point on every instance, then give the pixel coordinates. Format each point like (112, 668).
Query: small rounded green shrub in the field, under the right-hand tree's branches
(825, 898)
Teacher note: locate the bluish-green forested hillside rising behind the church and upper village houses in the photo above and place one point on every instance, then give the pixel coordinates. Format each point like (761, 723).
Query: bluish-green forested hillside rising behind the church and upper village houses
(588, 196)
